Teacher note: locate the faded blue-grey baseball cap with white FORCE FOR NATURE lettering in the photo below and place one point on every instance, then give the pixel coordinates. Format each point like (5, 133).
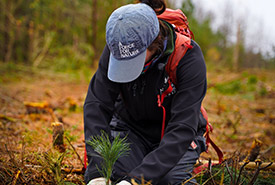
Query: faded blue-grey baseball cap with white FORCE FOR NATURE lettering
(129, 31)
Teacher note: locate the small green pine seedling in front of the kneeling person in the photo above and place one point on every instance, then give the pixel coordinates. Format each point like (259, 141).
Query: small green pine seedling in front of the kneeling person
(109, 151)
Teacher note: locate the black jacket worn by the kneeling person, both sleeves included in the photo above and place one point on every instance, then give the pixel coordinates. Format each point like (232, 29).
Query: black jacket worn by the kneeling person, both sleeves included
(136, 103)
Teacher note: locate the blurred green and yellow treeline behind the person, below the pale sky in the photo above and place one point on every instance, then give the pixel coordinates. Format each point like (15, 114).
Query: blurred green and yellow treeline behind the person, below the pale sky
(70, 34)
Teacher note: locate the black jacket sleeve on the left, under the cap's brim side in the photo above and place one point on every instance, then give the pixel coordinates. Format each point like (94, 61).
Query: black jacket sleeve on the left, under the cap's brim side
(98, 110)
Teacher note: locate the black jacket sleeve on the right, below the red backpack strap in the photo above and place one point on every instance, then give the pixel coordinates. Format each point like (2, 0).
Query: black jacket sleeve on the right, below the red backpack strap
(182, 126)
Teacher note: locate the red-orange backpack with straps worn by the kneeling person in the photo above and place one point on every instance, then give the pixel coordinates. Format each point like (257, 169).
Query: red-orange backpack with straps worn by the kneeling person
(183, 43)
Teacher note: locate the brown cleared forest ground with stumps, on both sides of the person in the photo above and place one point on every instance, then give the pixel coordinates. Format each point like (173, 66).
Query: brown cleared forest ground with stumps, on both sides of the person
(240, 106)
